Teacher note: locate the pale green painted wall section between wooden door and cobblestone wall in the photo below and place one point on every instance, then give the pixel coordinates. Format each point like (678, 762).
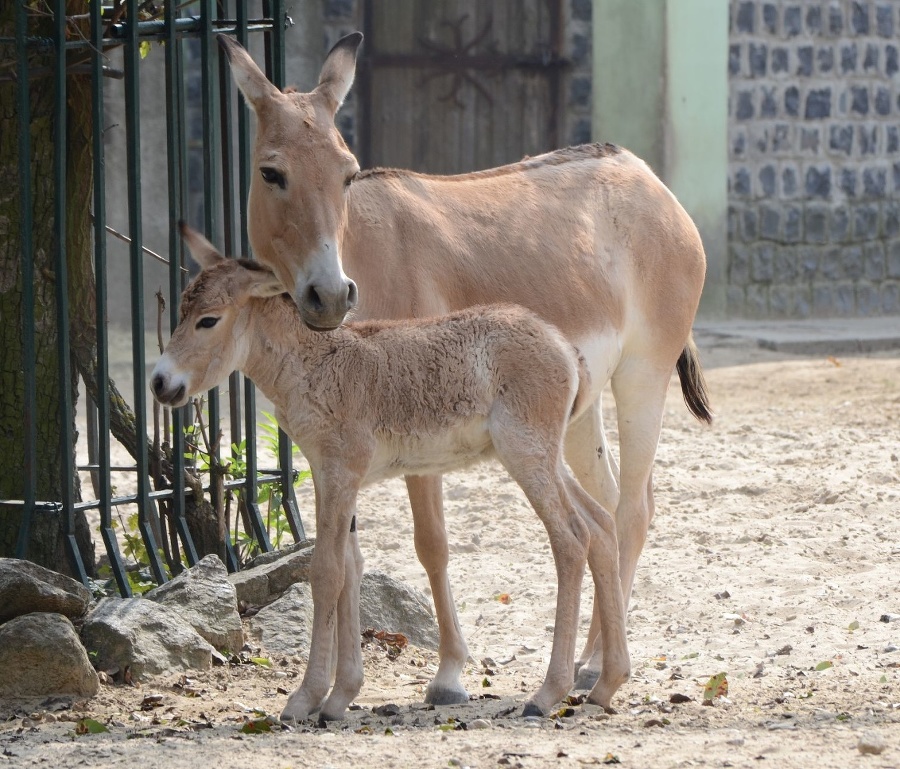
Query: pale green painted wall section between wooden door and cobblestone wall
(661, 89)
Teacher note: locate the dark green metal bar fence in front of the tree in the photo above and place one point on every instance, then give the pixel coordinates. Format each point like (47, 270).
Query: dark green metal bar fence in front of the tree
(222, 155)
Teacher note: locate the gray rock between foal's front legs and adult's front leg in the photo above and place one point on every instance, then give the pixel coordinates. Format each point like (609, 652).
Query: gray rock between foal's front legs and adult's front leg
(387, 604)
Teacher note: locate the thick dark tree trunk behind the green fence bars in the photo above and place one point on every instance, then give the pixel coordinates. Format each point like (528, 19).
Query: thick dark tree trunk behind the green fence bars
(46, 541)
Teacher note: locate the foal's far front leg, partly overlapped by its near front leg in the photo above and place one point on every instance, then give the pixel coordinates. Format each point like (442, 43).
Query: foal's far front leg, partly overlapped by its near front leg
(348, 678)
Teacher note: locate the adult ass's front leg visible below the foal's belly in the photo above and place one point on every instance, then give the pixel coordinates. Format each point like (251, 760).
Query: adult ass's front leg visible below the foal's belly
(427, 504)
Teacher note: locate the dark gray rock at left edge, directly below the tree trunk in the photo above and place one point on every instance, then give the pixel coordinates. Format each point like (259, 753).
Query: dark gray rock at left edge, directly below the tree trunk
(26, 587)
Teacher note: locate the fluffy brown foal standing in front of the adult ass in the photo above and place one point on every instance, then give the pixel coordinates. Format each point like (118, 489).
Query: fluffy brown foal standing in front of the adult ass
(377, 399)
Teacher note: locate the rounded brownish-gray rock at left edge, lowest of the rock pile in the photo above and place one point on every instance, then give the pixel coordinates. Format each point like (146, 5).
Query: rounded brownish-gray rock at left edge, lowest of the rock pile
(40, 655)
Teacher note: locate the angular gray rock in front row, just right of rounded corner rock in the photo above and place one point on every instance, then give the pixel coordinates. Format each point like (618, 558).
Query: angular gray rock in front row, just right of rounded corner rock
(142, 635)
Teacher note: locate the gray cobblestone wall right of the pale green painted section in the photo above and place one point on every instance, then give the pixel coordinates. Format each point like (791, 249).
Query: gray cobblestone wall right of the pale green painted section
(814, 158)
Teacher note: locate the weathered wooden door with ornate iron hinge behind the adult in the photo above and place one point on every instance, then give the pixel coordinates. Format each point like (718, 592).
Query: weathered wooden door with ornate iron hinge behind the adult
(448, 86)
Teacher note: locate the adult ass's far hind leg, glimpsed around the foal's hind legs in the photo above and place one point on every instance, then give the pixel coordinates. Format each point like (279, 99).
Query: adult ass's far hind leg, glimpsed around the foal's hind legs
(588, 454)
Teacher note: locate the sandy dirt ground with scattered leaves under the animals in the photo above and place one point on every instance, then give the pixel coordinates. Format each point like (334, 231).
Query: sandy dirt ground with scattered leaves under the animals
(774, 558)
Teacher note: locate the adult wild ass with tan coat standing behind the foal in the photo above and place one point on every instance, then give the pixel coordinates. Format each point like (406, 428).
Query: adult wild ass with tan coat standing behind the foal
(586, 237)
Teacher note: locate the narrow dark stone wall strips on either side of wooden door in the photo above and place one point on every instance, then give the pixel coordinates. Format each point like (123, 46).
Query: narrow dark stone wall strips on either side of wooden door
(341, 17)
